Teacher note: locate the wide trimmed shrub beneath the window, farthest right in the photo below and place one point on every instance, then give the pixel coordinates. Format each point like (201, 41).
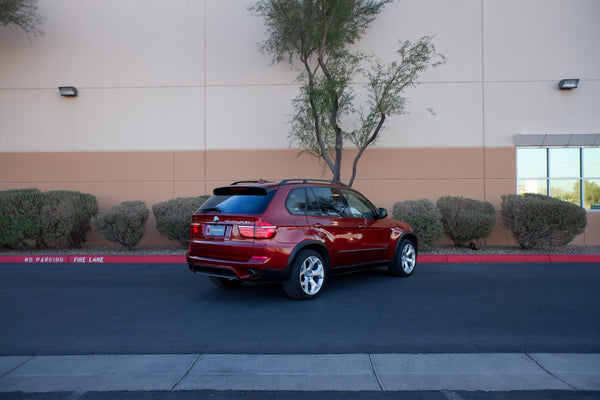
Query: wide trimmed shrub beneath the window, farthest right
(537, 220)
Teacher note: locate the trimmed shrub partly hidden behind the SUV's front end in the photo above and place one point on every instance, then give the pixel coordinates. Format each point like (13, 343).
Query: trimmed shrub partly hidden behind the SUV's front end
(425, 219)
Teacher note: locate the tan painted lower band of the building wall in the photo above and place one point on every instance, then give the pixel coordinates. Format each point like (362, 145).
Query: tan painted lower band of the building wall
(385, 175)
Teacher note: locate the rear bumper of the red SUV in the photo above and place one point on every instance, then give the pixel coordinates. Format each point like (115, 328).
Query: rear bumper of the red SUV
(251, 270)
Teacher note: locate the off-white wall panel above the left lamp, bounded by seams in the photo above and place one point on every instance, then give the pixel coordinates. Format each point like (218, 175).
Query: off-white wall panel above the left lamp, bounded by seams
(108, 43)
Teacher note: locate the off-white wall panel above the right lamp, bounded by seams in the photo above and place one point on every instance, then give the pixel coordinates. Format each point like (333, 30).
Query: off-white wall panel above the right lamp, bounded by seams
(538, 40)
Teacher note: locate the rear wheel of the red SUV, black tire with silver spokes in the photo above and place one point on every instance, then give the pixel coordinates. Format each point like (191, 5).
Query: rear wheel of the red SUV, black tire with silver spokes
(307, 276)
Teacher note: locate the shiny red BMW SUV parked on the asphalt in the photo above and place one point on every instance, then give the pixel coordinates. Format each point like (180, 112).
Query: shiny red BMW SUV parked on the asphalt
(298, 231)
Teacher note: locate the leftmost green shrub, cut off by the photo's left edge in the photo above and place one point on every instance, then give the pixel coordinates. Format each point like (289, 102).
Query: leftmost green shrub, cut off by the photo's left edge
(19, 216)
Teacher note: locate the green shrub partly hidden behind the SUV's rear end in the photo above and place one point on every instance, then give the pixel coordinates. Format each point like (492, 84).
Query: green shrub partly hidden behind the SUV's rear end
(173, 217)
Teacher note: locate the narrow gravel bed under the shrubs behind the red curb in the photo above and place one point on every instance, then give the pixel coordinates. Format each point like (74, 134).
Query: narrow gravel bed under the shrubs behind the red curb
(106, 249)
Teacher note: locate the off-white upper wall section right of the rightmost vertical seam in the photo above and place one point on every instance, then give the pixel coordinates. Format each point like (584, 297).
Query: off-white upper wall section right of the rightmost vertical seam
(529, 46)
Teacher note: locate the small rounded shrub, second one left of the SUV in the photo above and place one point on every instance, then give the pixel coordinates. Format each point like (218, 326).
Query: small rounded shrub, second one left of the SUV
(123, 224)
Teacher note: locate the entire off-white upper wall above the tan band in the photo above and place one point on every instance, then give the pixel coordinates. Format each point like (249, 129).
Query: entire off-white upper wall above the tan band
(187, 74)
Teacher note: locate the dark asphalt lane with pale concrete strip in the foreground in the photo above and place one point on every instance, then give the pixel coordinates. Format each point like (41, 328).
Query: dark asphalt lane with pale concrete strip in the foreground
(450, 330)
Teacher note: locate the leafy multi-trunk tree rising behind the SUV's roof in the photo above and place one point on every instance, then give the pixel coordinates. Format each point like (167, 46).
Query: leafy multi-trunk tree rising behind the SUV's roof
(318, 34)
